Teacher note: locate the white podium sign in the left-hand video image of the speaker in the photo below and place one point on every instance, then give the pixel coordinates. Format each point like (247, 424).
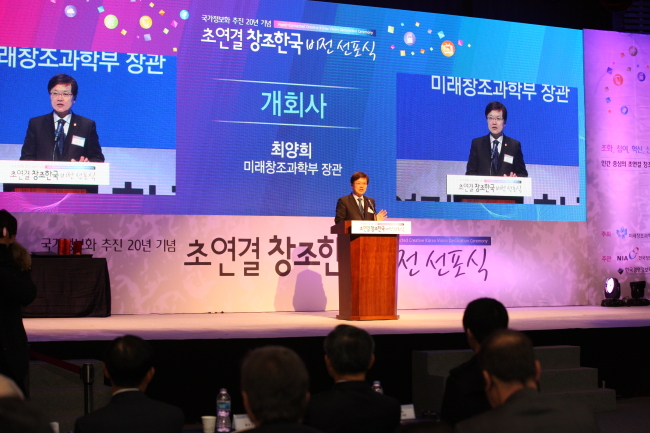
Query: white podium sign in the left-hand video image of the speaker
(54, 172)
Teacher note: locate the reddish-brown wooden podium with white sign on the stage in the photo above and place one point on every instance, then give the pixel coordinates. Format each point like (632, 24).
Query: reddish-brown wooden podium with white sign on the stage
(367, 259)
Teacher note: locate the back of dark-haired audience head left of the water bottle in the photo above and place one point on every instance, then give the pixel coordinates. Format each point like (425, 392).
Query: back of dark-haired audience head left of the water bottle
(128, 362)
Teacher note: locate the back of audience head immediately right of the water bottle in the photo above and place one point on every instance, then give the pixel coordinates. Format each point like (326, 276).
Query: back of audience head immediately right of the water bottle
(275, 390)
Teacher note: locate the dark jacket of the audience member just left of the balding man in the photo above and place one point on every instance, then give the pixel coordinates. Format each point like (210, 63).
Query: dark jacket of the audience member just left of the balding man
(464, 393)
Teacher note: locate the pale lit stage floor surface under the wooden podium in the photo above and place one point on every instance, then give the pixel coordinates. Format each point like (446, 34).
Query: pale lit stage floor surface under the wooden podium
(315, 324)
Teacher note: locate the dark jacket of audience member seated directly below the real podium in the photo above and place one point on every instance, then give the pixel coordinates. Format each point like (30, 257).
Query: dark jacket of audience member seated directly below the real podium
(353, 407)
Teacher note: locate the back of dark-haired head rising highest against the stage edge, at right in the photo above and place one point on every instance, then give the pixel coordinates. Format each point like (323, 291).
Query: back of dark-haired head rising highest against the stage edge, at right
(483, 316)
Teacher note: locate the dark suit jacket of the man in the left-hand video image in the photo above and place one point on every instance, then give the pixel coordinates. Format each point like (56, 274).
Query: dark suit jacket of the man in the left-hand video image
(39, 140)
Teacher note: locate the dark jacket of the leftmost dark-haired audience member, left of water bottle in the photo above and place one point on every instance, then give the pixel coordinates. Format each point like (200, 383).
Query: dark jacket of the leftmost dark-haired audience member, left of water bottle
(132, 412)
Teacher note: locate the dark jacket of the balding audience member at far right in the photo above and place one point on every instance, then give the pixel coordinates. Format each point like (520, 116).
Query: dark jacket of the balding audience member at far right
(529, 411)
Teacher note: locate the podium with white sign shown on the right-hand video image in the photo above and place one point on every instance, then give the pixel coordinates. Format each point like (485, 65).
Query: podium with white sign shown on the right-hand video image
(489, 189)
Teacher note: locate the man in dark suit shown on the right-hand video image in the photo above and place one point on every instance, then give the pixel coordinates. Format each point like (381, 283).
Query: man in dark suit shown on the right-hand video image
(495, 154)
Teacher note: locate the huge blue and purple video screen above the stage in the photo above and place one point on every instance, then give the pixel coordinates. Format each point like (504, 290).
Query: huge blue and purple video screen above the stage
(267, 108)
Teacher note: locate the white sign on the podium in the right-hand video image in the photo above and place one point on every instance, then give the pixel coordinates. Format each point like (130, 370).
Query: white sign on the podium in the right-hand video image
(489, 186)
